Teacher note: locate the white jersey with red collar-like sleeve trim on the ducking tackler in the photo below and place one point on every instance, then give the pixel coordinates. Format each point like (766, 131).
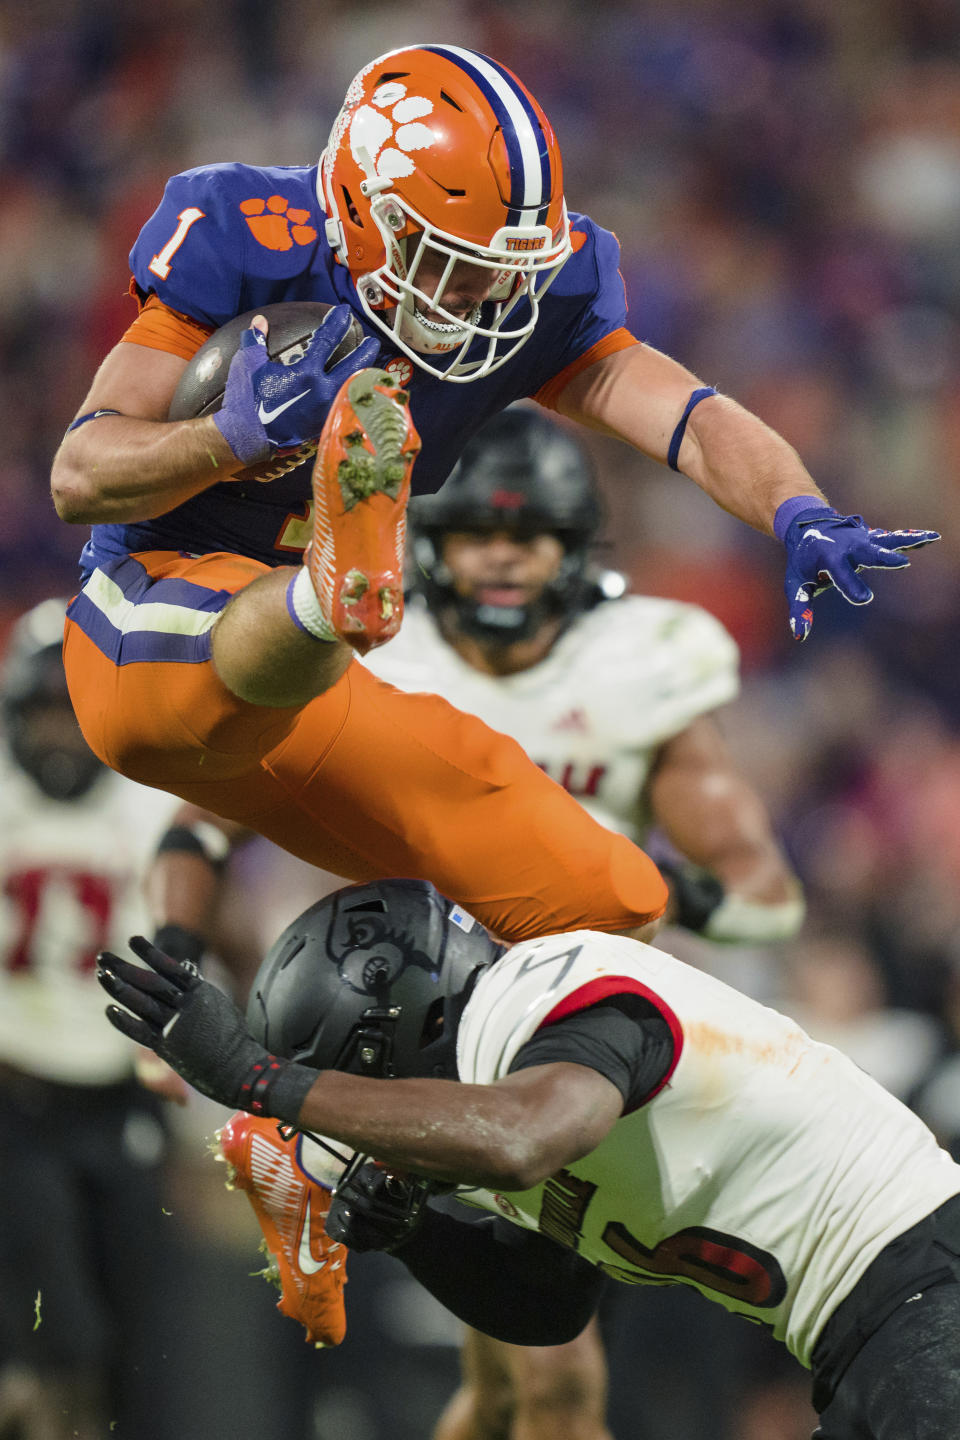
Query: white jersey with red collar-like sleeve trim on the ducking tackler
(769, 1171)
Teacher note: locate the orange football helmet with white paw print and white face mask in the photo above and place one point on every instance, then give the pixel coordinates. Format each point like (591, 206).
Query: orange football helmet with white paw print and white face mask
(443, 166)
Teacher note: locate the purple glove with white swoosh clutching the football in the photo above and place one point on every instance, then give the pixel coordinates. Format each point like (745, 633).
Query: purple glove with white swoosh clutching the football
(270, 407)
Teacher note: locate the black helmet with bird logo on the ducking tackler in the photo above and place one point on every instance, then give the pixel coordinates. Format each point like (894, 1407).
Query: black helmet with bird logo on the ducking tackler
(372, 981)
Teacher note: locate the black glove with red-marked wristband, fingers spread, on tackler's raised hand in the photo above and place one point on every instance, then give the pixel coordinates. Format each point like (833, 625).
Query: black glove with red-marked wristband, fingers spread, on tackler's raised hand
(201, 1033)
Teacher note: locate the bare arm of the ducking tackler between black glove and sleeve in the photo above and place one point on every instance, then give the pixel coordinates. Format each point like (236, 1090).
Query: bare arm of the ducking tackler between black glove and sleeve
(509, 1135)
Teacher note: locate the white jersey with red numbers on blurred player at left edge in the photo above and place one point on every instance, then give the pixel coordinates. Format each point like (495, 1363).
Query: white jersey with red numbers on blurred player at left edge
(70, 886)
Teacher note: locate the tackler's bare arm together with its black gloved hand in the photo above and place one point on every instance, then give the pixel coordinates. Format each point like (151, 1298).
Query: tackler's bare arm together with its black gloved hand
(509, 1135)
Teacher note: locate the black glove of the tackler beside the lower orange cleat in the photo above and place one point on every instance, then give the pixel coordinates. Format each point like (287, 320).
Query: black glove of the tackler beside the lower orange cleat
(375, 1210)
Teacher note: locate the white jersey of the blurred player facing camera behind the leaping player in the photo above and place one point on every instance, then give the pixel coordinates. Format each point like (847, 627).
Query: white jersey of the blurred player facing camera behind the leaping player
(624, 679)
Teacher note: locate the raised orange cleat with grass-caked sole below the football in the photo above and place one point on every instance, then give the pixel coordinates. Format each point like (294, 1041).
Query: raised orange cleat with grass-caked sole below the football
(362, 486)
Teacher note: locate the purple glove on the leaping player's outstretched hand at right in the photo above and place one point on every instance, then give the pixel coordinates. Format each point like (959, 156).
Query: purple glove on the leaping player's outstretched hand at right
(825, 548)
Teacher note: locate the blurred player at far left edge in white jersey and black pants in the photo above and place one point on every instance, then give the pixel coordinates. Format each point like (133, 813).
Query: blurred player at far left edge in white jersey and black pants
(81, 1143)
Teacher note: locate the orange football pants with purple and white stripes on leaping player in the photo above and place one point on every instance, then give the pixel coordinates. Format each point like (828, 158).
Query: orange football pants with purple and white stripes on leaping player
(365, 781)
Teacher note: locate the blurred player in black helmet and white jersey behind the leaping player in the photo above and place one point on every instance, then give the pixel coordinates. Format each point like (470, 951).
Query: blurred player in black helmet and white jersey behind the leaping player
(610, 693)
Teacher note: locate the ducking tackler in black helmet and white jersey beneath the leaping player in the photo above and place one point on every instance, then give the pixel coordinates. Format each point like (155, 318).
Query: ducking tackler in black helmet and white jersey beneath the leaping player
(620, 1117)
